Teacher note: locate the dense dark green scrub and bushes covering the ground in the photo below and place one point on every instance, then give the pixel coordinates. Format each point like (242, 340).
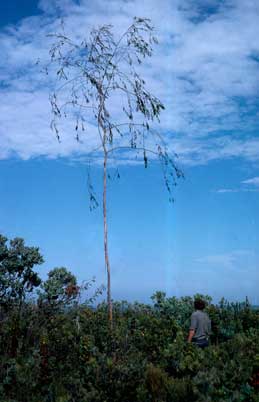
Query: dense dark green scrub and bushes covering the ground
(54, 348)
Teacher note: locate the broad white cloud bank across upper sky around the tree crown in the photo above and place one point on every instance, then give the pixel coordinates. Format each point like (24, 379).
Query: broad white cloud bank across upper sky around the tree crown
(205, 70)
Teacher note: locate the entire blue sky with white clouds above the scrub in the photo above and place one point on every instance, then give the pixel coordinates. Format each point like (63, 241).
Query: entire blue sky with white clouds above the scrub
(205, 70)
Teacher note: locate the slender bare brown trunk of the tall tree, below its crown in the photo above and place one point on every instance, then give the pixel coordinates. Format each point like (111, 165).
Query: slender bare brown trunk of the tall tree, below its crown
(106, 253)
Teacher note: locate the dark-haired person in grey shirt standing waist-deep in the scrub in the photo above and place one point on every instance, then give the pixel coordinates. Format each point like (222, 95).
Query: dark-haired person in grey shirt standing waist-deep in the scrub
(200, 327)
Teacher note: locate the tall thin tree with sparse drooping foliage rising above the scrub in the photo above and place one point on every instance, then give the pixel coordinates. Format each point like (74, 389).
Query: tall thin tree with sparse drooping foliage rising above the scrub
(99, 83)
